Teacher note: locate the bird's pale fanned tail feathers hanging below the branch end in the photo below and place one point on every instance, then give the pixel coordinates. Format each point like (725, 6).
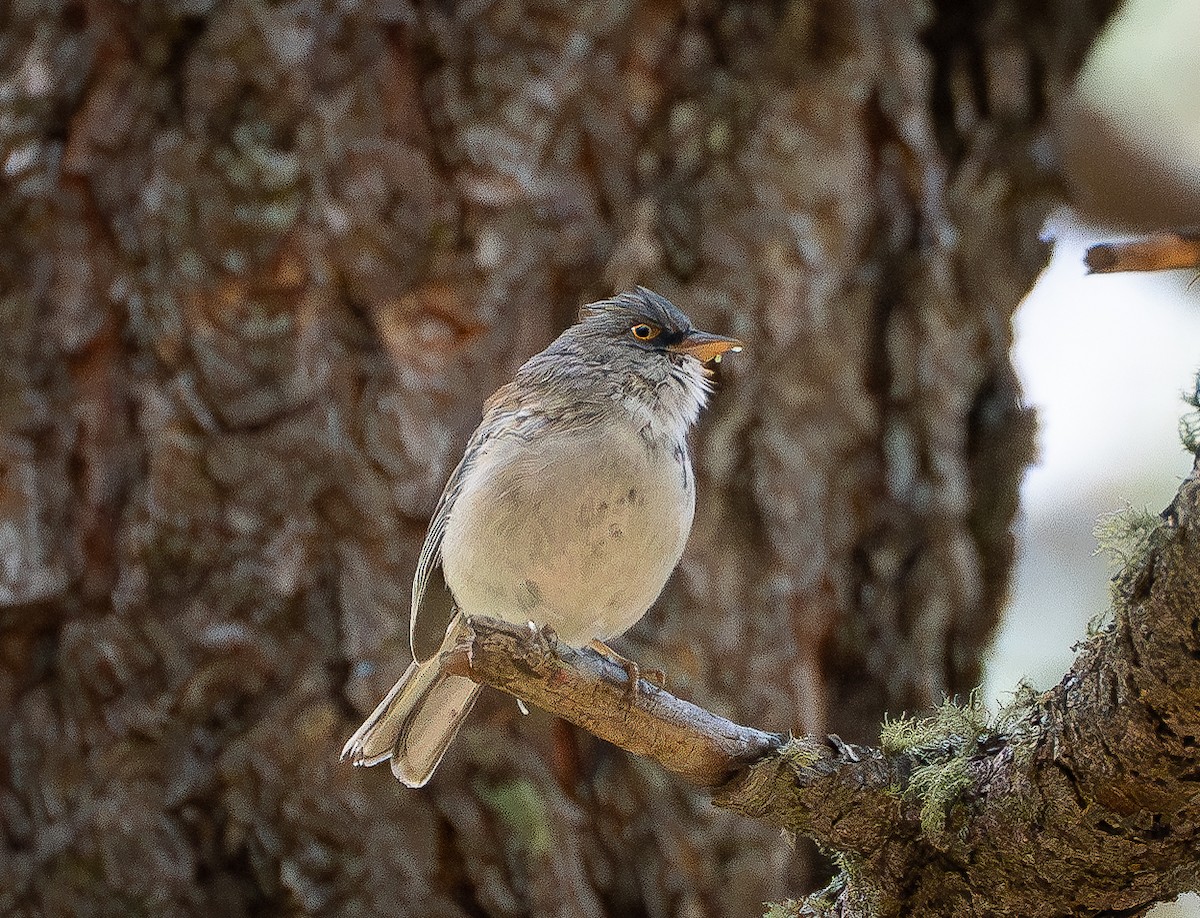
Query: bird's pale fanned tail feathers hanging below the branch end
(417, 722)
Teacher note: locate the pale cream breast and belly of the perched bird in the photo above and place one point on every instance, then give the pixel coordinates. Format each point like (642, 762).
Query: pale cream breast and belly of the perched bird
(580, 533)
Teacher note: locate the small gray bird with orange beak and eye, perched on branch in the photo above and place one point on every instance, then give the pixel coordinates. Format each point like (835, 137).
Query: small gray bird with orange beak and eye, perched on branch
(571, 508)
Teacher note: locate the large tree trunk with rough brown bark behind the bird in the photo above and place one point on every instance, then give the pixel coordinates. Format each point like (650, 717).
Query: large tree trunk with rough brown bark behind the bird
(260, 267)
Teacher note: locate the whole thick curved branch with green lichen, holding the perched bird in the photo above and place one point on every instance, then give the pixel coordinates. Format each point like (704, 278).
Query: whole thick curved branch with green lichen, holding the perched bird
(1084, 802)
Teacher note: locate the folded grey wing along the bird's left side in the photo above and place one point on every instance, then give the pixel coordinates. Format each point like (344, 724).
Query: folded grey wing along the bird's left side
(505, 416)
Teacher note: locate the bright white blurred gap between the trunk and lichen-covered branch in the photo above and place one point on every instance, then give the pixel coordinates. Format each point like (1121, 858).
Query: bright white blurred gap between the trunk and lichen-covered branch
(1106, 361)
